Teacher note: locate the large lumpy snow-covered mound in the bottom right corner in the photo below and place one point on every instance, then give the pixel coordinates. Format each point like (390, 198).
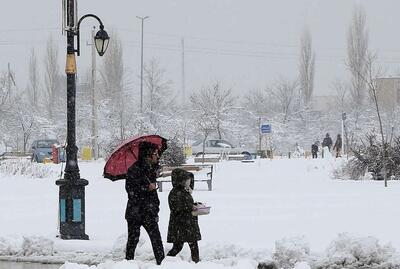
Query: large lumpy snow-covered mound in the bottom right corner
(358, 252)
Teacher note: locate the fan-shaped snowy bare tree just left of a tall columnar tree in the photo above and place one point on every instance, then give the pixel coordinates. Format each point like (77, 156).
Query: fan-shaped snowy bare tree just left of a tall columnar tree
(284, 93)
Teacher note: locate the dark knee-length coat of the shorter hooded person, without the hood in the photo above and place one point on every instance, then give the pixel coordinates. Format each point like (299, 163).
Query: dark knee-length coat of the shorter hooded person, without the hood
(183, 227)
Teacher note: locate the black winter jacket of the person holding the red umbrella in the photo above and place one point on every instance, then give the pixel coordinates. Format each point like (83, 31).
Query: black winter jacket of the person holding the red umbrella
(142, 203)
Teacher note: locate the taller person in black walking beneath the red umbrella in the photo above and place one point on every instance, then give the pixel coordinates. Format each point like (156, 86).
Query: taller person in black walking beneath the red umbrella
(143, 203)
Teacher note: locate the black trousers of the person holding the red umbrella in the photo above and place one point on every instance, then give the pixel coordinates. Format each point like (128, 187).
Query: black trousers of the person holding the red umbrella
(151, 227)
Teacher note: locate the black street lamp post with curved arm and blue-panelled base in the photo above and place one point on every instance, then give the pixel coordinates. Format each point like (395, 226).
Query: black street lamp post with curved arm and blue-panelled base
(72, 187)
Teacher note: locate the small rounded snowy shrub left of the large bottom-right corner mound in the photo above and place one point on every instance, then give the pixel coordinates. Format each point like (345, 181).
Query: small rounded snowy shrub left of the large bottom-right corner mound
(289, 251)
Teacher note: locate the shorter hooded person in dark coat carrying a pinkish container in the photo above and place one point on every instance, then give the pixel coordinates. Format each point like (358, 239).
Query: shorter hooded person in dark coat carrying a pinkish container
(183, 226)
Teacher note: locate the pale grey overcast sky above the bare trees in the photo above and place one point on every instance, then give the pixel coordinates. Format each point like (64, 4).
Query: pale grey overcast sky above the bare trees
(245, 44)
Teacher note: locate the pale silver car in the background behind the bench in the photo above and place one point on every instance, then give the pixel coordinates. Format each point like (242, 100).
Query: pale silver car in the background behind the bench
(217, 146)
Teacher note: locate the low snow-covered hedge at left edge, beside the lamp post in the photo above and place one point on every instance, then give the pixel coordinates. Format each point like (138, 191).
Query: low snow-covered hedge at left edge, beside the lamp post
(24, 167)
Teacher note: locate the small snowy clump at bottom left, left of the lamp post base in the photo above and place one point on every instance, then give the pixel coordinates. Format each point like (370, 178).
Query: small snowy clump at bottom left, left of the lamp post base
(37, 245)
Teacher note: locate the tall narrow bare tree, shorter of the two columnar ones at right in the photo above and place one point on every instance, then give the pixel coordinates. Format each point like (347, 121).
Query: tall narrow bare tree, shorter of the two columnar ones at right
(306, 67)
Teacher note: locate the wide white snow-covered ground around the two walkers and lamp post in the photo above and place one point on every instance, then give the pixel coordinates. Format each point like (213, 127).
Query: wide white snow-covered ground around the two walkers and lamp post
(290, 211)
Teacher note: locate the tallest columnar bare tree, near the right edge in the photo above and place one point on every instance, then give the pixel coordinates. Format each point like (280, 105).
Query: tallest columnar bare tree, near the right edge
(357, 49)
